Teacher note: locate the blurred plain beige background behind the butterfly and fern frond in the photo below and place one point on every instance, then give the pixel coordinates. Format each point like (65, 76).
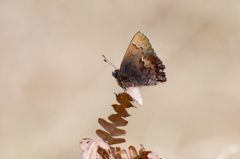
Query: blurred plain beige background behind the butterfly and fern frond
(54, 84)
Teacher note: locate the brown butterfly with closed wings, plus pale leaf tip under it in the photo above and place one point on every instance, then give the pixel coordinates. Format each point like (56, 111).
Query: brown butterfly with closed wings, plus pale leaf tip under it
(140, 67)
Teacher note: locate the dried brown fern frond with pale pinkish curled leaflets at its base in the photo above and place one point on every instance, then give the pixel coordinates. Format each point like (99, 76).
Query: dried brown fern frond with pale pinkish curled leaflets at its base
(102, 148)
